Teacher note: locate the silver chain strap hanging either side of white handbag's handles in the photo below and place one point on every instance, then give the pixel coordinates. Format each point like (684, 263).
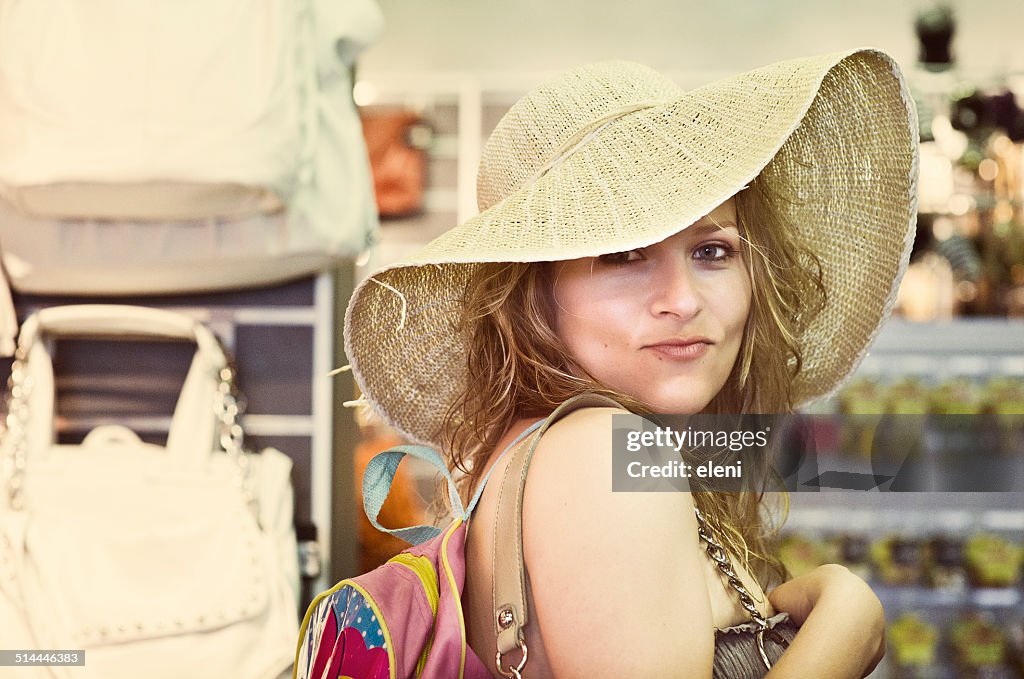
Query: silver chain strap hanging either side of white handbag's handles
(228, 408)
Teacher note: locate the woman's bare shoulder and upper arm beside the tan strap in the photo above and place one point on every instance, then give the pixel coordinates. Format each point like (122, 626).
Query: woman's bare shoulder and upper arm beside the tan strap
(616, 577)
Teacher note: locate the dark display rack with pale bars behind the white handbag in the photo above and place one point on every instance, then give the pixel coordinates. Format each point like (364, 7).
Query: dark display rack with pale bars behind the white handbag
(285, 345)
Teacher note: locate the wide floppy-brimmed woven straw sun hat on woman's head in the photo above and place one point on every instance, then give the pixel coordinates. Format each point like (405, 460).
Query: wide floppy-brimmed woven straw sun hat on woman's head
(612, 157)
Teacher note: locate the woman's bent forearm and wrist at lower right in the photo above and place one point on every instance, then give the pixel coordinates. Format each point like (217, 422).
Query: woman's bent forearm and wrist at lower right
(840, 616)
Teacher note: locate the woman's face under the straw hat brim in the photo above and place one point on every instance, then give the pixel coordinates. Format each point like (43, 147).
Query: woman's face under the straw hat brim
(662, 324)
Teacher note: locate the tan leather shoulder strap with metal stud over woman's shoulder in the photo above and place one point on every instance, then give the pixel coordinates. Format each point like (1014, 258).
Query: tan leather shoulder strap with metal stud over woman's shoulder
(509, 575)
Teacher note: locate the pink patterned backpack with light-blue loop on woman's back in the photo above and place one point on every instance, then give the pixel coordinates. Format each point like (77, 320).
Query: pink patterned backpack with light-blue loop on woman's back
(405, 619)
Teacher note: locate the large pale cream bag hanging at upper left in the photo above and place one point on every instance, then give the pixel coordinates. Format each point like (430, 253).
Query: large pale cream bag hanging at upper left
(180, 146)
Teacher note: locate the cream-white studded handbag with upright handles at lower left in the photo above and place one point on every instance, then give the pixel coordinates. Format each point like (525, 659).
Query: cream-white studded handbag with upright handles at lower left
(158, 562)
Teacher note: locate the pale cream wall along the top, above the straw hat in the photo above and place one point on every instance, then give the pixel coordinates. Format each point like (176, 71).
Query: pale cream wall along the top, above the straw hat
(676, 36)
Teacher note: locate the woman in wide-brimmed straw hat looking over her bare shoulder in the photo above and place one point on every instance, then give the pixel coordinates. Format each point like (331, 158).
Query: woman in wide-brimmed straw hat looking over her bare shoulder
(728, 250)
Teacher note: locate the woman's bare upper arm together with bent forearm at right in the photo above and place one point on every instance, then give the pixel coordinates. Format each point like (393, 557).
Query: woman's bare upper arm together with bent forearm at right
(618, 578)
